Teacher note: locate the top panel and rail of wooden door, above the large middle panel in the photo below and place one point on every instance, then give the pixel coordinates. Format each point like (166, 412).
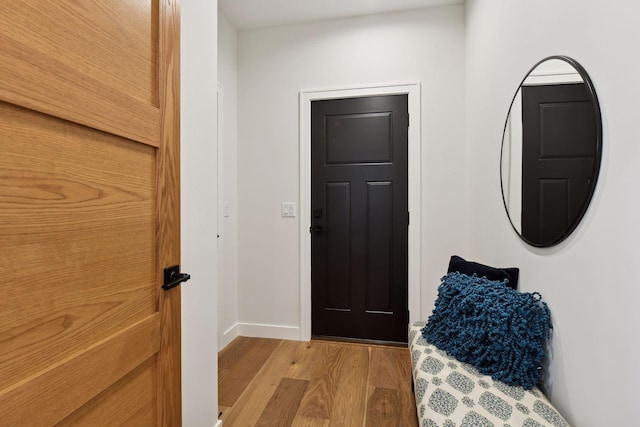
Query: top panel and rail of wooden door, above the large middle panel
(46, 66)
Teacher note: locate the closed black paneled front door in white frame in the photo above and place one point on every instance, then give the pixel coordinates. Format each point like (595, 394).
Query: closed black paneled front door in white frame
(359, 198)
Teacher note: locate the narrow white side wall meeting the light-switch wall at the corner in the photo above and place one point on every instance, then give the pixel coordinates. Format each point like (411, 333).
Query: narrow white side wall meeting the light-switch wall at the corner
(228, 78)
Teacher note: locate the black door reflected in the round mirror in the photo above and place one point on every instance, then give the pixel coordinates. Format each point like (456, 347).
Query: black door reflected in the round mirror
(558, 150)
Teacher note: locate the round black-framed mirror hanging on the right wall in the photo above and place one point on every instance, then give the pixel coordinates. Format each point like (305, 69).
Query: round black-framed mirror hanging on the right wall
(551, 150)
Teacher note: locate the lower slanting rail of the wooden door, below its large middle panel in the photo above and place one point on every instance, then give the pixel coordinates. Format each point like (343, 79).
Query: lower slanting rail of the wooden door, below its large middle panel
(55, 393)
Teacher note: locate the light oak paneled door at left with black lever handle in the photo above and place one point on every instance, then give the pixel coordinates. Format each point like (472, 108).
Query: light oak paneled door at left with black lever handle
(89, 212)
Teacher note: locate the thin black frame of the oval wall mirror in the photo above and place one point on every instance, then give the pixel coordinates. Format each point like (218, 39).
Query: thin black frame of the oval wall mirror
(597, 158)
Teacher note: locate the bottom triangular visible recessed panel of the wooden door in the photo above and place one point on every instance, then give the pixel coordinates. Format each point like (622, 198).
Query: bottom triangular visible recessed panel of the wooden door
(129, 402)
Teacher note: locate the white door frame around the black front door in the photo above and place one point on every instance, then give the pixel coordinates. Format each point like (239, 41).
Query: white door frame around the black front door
(415, 167)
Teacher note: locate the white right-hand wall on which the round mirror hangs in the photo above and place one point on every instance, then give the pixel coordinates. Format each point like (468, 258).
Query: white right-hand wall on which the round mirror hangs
(591, 280)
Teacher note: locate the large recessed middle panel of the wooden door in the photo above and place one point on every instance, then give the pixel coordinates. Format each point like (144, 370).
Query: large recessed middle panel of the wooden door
(67, 221)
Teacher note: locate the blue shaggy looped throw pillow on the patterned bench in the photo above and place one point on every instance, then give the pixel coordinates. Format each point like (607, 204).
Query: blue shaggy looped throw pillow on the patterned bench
(498, 330)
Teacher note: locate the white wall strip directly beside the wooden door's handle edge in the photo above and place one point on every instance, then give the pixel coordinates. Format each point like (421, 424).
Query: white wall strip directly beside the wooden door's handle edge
(198, 212)
